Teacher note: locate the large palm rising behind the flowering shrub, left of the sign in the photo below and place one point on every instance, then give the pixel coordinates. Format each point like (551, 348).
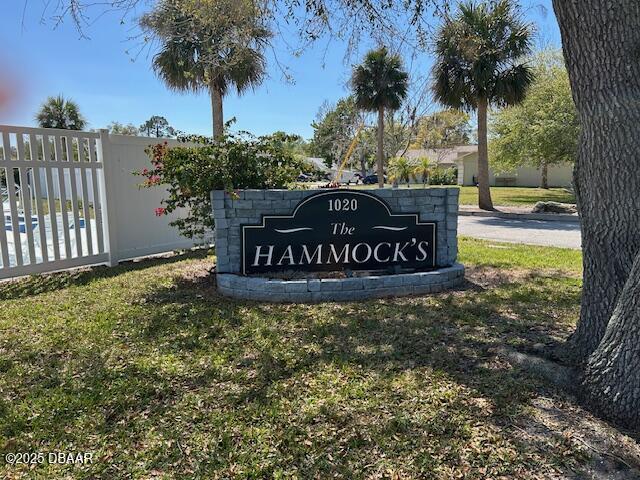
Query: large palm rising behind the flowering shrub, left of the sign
(213, 49)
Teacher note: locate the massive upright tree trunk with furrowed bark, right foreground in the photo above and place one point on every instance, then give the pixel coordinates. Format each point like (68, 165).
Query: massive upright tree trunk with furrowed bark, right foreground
(601, 41)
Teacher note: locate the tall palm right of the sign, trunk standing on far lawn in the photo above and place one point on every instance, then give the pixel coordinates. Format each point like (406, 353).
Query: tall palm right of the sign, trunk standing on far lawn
(478, 53)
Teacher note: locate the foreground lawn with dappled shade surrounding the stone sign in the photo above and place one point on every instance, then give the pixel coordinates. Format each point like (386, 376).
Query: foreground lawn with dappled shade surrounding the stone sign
(145, 366)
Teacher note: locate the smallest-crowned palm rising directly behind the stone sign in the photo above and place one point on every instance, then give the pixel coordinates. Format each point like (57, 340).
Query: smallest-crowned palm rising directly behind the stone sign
(380, 83)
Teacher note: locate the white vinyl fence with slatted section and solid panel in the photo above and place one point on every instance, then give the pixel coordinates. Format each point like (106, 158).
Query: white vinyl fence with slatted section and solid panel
(70, 198)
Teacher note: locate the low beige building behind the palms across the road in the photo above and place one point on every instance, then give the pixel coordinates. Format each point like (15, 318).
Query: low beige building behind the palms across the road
(465, 159)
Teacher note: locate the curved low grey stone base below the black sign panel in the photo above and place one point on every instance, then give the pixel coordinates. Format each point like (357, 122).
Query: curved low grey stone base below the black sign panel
(340, 289)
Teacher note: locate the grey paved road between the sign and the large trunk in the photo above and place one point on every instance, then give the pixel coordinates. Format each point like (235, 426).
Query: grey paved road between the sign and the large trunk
(534, 232)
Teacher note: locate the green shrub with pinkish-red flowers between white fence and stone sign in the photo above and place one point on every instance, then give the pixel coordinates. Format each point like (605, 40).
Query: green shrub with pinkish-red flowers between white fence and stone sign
(190, 173)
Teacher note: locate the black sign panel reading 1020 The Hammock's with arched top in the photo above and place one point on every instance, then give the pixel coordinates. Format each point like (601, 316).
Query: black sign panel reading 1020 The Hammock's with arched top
(338, 230)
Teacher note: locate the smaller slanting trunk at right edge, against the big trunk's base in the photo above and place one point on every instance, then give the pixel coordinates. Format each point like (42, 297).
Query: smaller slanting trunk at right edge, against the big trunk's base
(612, 375)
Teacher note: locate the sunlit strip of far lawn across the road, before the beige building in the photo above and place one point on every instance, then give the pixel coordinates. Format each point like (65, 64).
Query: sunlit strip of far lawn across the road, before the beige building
(506, 196)
